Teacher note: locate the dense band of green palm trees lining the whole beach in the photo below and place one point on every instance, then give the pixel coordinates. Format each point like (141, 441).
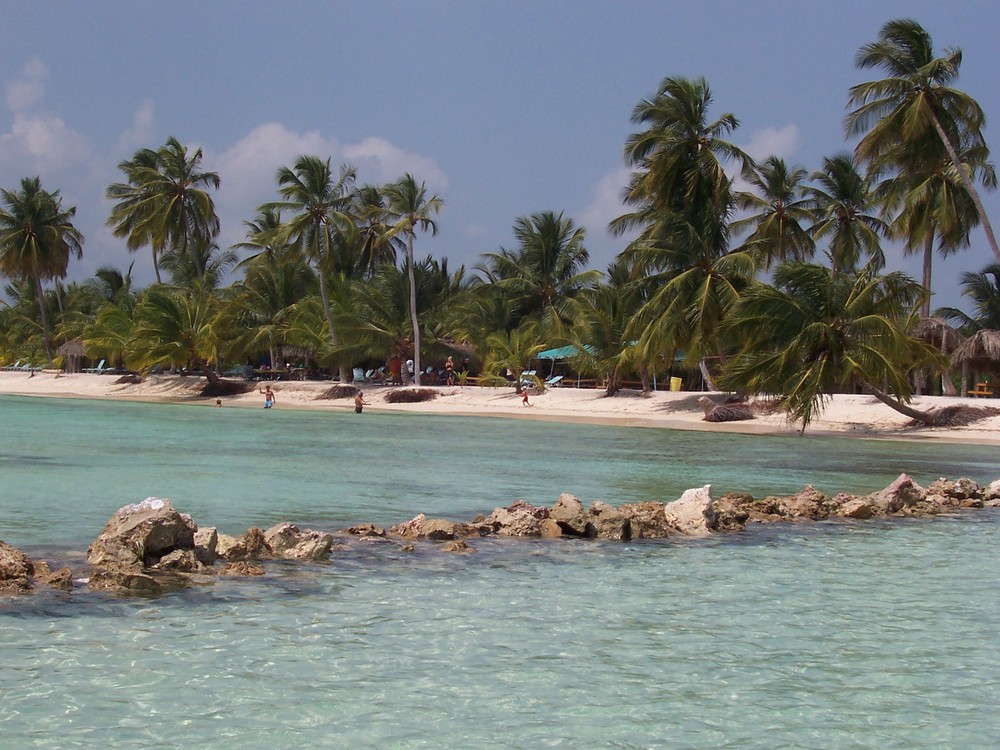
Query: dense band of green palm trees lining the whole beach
(766, 277)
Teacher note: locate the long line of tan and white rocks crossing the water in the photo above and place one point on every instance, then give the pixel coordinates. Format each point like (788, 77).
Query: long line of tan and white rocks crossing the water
(149, 547)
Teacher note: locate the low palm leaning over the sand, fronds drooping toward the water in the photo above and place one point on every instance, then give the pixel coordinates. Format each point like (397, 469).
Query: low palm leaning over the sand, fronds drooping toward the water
(815, 332)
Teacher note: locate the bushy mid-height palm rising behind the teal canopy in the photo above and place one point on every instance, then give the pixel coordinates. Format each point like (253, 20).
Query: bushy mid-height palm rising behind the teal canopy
(546, 273)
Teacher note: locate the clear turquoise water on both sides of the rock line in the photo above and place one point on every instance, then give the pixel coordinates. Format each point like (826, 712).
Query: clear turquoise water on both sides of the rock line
(830, 635)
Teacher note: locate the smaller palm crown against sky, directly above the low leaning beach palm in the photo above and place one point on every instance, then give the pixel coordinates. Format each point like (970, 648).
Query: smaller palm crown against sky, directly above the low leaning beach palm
(843, 201)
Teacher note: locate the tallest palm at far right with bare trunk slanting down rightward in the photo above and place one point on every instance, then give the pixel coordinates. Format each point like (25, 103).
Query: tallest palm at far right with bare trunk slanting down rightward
(916, 99)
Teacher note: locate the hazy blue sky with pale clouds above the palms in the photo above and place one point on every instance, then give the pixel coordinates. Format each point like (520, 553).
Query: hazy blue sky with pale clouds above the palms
(503, 108)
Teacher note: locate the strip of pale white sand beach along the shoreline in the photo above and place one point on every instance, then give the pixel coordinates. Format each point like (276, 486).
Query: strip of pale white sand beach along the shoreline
(847, 415)
